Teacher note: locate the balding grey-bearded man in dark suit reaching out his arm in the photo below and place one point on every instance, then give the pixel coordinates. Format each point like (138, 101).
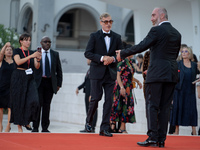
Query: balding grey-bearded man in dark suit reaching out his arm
(164, 42)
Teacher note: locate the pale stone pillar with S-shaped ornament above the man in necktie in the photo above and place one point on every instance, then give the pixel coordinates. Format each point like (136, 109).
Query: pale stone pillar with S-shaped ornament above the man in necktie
(43, 18)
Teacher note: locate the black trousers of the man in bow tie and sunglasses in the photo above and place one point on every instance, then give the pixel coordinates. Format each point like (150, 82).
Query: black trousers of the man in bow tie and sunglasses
(97, 86)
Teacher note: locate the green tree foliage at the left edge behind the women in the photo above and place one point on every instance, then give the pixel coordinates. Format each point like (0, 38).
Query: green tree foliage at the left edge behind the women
(8, 35)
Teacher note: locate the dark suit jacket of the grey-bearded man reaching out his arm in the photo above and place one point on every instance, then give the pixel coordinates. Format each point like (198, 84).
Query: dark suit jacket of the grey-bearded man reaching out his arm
(164, 42)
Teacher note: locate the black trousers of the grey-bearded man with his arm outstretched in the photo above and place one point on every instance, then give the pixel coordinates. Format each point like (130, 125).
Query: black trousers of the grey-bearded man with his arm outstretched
(158, 99)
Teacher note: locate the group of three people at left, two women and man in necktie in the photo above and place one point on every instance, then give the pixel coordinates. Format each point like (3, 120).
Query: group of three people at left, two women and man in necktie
(28, 81)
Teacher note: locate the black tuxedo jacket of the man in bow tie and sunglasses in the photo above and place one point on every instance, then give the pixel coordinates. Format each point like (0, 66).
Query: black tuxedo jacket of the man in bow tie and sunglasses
(96, 48)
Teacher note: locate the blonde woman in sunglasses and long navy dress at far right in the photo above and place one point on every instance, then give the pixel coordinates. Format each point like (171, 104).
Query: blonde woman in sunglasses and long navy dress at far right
(184, 112)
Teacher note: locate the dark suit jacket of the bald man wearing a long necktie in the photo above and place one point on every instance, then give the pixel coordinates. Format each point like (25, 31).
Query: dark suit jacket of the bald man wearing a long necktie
(56, 71)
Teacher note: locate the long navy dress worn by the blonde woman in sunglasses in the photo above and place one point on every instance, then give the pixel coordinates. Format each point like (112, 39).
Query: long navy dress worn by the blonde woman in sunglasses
(184, 112)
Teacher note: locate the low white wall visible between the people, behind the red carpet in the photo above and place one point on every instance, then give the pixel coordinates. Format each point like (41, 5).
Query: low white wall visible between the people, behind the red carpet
(67, 107)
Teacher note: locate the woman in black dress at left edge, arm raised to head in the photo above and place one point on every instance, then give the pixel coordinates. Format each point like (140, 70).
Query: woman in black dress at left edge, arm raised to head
(6, 69)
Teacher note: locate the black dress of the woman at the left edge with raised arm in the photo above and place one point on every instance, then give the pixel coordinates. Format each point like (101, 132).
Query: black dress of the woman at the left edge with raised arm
(6, 70)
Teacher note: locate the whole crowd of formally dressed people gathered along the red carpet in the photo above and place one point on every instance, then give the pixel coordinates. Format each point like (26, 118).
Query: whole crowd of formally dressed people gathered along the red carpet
(30, 78)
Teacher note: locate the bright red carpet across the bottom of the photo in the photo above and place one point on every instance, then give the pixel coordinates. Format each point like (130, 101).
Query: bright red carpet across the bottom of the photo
(63, 141)
